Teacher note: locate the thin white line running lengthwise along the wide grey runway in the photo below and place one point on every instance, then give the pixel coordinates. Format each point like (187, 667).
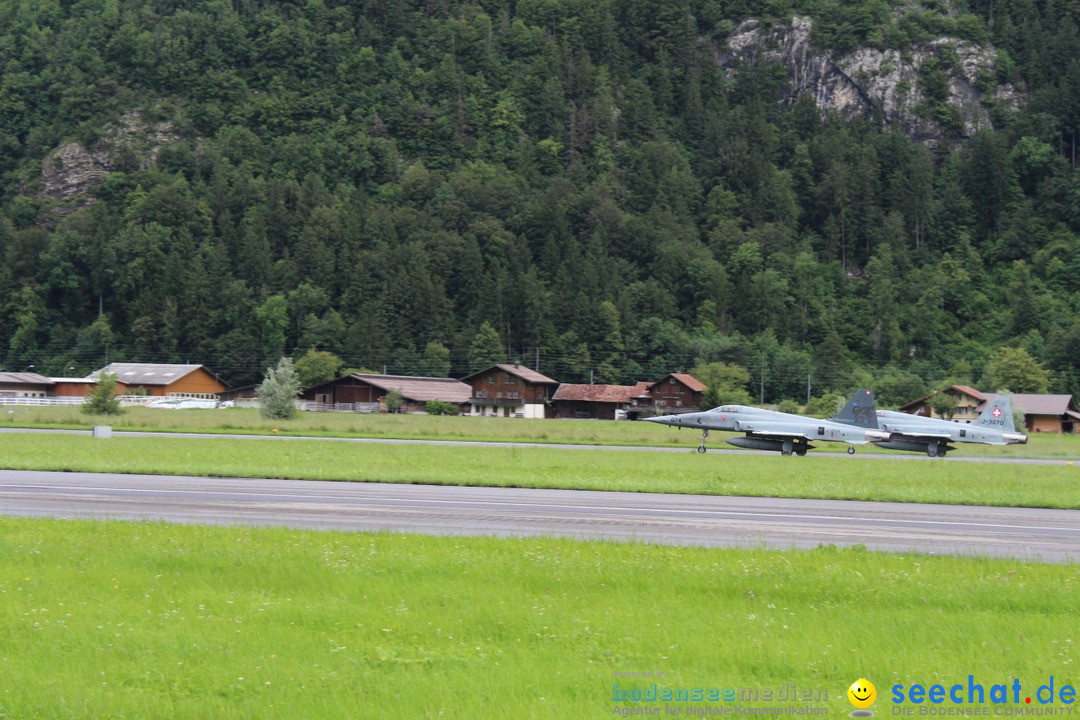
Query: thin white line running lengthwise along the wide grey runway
(547, 506)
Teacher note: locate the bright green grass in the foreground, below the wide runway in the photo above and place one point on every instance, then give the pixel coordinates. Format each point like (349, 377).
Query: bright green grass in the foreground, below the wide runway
(115, 620)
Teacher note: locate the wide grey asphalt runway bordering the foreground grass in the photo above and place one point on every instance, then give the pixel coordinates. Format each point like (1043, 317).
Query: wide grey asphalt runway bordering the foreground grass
(1043, 535)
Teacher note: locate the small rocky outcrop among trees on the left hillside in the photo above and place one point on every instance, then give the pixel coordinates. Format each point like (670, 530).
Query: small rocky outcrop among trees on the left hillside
(73, 170)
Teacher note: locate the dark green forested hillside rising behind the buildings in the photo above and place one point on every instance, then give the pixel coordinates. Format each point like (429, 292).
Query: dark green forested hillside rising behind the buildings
(418, 185)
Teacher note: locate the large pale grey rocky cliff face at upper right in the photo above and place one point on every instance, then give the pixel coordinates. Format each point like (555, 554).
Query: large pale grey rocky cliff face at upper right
(942, 89)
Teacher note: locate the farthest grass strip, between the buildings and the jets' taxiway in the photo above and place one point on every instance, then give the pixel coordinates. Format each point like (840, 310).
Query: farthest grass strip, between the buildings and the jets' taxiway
(347, 425)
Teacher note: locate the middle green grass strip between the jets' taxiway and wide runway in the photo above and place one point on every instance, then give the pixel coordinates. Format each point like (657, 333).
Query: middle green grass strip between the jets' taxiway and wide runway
(840, 478)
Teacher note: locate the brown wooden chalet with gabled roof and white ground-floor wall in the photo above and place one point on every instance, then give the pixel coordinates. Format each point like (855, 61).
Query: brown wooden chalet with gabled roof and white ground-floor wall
(509, 391)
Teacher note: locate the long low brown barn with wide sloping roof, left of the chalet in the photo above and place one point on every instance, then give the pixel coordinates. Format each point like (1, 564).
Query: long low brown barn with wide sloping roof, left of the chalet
(363, 389)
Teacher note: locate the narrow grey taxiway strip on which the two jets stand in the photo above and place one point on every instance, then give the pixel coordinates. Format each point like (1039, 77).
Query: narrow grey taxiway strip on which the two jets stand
(715, 446)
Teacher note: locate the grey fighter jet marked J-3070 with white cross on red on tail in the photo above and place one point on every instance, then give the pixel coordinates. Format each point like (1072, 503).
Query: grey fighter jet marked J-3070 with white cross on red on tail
(930, 436)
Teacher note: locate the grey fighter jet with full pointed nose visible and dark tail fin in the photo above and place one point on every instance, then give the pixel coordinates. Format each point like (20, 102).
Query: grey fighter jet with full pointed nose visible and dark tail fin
(784, 432)
